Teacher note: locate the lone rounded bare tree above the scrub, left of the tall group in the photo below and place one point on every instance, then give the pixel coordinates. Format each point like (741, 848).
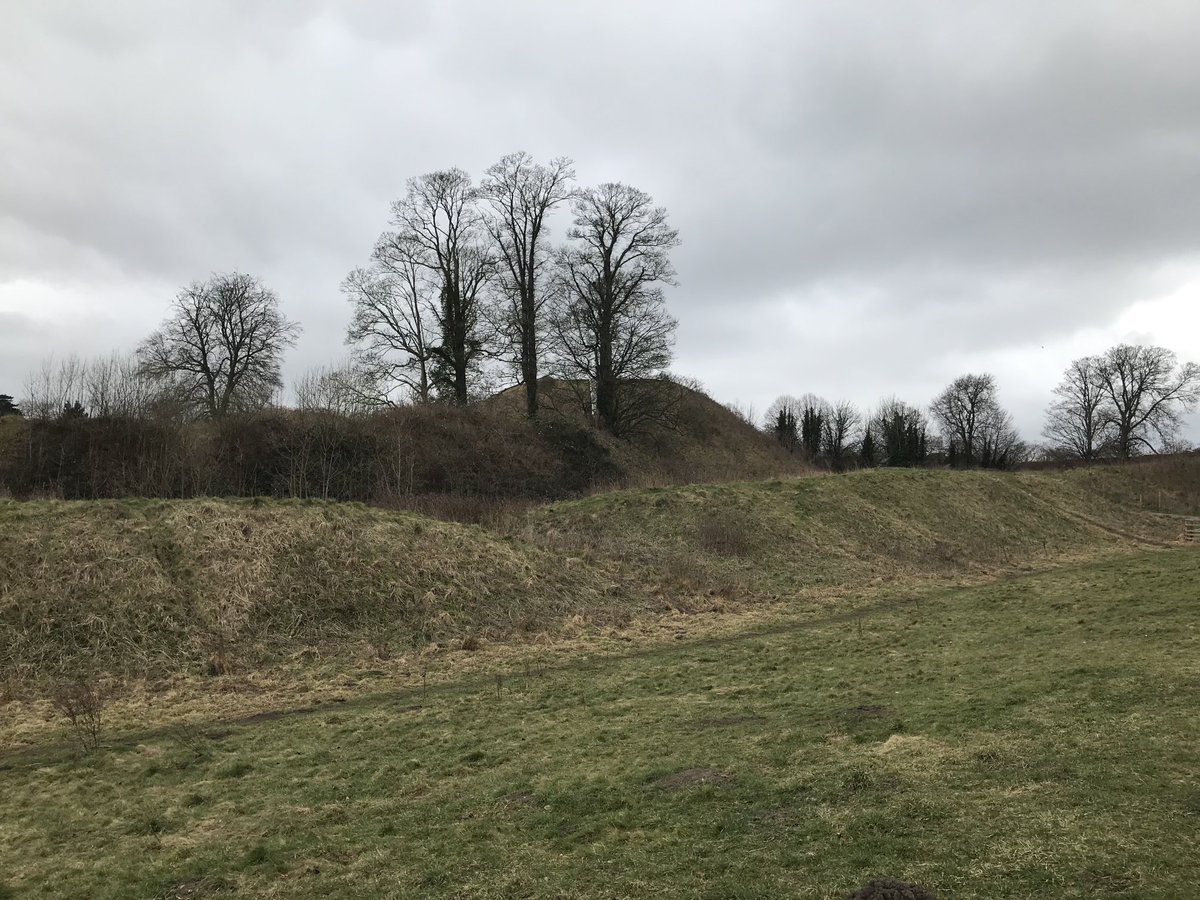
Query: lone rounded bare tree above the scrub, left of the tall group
(223, 345)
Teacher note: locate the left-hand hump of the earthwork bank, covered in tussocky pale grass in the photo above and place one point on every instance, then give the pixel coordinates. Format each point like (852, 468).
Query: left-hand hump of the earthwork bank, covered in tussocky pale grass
(143, 586)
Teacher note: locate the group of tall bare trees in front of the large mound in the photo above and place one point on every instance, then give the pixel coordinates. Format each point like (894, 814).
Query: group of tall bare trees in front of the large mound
(467, 278)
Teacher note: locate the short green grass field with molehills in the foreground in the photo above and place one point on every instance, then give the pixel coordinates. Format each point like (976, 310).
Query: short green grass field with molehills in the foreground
(1033, 739)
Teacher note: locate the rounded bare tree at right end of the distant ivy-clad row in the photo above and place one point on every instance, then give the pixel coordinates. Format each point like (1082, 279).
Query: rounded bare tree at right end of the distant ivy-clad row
(976, 429)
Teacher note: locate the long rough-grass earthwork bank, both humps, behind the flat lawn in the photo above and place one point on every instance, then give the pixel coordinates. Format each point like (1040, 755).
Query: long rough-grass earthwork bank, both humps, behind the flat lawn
(182, 586)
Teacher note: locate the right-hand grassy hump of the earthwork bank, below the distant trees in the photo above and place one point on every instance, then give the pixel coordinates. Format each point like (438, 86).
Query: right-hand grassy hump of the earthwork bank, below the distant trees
(788, 537)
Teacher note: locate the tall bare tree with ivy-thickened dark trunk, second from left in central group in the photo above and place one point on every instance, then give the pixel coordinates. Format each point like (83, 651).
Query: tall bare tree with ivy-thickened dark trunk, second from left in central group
(439, 223)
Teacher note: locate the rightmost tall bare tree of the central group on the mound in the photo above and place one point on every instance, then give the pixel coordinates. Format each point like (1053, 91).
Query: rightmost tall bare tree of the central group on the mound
(611, 322)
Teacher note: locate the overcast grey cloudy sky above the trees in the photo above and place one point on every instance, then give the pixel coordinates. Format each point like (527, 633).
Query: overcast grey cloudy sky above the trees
(873, 197)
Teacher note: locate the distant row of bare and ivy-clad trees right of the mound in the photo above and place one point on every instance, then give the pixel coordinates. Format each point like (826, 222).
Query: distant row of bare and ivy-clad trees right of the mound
(1125, 403)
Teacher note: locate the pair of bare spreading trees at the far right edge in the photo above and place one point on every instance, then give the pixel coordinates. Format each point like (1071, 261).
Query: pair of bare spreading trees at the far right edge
(1130, 400)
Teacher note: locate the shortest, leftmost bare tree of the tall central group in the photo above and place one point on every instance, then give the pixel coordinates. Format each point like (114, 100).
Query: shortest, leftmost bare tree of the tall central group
(395, 308)
